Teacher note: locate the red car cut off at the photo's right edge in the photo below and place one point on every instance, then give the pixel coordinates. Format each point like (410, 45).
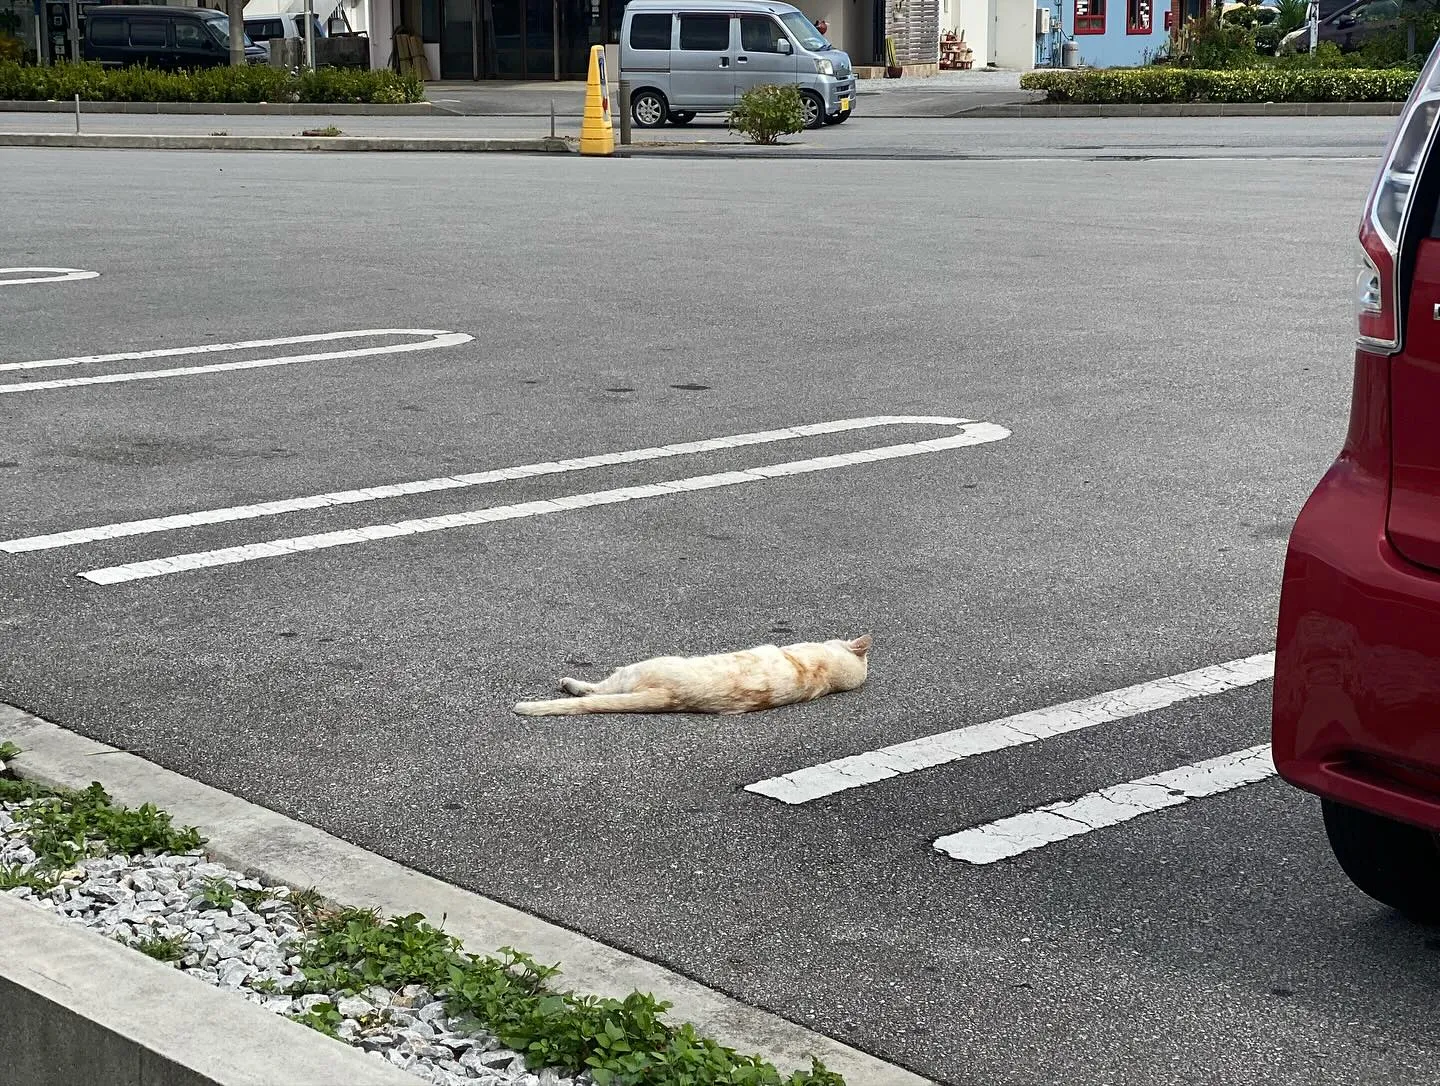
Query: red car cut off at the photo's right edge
(1357, 672)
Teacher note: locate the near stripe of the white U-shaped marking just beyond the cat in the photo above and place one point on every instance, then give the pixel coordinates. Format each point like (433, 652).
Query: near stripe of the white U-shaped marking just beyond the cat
(970, 434)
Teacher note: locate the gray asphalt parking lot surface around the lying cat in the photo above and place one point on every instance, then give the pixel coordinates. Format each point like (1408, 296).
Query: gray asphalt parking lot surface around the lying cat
(1169, 344)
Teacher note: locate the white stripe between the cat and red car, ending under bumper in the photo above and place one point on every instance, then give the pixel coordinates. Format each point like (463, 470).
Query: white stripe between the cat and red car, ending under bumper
(814, 783)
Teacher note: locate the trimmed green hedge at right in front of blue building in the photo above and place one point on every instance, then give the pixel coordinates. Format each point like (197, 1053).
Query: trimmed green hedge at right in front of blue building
(1150, 86)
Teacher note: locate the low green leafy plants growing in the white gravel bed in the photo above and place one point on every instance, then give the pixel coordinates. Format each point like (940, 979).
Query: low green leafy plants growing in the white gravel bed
(345, 951)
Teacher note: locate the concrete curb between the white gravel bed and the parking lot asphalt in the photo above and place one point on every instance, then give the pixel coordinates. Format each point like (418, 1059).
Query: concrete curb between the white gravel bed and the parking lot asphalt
(277, 849)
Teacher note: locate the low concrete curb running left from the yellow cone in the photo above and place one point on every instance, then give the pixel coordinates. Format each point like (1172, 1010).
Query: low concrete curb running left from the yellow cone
(290, 143)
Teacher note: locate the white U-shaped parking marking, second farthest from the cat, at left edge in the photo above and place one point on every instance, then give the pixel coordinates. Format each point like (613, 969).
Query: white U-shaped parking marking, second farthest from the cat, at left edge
(436, 339)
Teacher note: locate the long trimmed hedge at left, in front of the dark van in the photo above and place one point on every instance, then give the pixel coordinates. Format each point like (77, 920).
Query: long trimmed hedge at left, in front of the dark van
(250, 84)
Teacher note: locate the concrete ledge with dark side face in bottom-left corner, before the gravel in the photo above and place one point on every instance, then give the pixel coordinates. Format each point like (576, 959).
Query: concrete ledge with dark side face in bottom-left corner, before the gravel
(80, 1009)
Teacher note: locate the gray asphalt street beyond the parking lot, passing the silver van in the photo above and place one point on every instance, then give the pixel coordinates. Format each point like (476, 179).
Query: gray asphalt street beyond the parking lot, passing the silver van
(1281, 138)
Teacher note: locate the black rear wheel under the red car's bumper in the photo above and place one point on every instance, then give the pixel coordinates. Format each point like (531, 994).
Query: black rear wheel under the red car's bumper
(1396, 863)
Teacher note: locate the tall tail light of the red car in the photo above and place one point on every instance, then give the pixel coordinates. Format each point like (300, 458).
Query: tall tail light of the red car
(1377, 287)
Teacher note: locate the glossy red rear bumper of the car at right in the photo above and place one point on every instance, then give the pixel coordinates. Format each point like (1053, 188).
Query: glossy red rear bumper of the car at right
(1357, 681)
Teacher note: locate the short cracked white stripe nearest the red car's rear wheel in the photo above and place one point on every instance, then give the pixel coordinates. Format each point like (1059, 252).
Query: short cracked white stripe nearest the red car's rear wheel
(1002, 840)
